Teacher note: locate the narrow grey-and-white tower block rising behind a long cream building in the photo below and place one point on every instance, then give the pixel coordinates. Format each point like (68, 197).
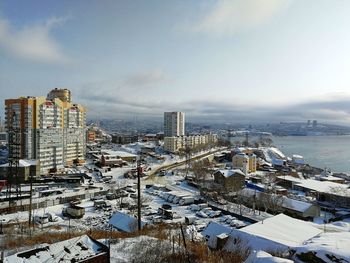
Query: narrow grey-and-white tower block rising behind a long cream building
(174, 124)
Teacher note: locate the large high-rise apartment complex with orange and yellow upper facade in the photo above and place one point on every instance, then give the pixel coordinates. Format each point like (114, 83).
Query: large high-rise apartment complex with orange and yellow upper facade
(51, 130)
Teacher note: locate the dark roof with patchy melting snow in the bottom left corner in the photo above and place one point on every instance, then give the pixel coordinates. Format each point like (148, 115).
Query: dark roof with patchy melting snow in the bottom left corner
(75, 249)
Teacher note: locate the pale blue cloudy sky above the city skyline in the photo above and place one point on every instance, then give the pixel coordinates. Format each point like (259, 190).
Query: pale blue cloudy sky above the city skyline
(215, 60)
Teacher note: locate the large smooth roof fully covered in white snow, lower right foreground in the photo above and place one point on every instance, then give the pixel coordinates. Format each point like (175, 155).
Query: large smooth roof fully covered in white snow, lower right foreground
(283, 229)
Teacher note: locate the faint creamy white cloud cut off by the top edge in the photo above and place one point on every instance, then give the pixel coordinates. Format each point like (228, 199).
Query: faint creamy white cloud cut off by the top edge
(232, 16)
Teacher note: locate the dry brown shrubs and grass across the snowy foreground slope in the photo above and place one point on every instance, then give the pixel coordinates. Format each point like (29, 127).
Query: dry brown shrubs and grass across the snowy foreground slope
(166, 247)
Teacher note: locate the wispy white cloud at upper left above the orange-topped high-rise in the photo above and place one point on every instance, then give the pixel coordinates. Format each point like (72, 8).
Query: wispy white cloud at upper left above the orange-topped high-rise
(33, 43)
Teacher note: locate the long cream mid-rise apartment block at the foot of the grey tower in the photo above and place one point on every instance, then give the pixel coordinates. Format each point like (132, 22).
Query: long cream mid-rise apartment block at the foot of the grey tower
(175, 143)
